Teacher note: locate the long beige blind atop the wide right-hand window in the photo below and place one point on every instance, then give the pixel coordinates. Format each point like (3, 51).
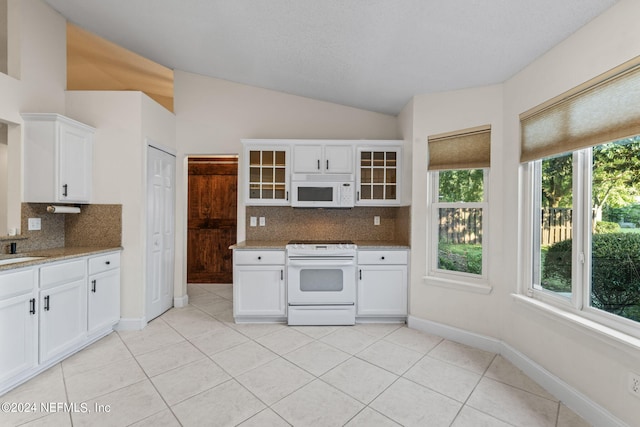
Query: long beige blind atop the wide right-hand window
(601, 110)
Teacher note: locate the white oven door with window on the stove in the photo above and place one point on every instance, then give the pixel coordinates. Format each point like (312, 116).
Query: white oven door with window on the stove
(321, 281)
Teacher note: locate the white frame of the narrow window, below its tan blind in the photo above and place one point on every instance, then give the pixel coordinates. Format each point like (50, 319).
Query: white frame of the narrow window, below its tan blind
(439, 276)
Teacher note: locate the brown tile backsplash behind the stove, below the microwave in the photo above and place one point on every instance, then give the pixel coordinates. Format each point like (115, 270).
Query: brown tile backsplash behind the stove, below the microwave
(286, 223)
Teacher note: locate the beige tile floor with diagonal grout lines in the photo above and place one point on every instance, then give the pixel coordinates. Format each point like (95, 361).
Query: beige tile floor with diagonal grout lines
(195, 367)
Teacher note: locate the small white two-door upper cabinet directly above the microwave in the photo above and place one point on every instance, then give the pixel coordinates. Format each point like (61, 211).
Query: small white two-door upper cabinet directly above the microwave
(328, 158)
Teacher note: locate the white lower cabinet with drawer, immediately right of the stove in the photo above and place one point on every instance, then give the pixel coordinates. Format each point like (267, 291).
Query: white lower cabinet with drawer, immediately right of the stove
(382, 285)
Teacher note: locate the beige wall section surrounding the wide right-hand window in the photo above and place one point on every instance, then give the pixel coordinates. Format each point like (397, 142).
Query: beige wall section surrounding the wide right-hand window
(594, 367)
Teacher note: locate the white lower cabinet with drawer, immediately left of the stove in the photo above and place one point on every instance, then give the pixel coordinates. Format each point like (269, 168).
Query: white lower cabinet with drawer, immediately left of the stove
(259, 287)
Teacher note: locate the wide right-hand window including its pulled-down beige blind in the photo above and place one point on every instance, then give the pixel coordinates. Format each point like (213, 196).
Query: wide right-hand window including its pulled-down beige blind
(581, 185)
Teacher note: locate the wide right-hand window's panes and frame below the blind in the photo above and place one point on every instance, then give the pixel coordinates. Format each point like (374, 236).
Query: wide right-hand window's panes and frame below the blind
(588, 246)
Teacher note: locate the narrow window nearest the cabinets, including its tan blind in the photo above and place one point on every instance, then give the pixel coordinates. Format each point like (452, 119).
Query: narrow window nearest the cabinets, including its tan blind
(458, 171)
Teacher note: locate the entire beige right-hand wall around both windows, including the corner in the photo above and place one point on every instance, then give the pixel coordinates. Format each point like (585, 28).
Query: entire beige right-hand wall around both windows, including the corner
(588, 361)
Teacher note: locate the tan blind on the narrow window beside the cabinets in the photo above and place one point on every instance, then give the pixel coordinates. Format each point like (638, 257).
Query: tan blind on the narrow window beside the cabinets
(463, 149)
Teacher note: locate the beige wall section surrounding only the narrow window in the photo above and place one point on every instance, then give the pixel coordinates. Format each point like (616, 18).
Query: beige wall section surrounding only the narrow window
(435, 114)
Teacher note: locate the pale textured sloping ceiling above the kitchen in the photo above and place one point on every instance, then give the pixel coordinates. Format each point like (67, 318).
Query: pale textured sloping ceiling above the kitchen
(370, 54)
